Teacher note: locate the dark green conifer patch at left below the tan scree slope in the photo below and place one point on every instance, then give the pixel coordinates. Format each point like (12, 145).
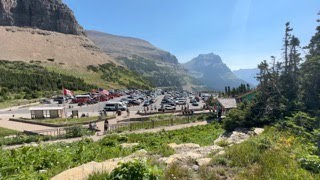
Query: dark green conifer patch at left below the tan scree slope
(33, 80)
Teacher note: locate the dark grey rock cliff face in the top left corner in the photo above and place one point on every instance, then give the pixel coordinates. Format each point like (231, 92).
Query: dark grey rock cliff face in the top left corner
(51, 15)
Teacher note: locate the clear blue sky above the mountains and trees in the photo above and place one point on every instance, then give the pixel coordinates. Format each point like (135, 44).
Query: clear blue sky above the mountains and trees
(242, 32)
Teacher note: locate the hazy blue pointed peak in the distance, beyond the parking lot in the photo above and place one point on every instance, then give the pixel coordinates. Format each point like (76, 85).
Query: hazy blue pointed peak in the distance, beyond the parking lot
(212, 72)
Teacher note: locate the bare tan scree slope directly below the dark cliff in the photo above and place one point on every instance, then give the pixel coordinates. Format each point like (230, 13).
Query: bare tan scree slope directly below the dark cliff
(28, 44)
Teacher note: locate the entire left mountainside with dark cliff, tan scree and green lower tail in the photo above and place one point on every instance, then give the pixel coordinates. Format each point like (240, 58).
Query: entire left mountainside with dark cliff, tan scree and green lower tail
(45, 32)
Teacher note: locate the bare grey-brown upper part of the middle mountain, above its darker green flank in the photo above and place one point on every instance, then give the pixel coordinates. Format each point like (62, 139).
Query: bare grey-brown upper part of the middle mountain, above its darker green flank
(120, 46)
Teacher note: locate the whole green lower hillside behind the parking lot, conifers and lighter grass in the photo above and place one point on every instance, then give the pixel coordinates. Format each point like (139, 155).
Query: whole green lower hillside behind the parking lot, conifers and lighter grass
(20, 80)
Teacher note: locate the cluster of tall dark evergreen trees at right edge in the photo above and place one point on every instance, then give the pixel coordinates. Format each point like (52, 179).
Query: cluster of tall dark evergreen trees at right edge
(288, 85)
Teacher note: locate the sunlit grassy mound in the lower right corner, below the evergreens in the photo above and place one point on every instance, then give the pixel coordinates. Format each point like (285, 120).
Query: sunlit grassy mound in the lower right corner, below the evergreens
(272, 155)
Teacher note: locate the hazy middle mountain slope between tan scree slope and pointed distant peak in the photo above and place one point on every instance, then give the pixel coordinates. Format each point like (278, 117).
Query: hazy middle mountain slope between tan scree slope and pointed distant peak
(158, 66)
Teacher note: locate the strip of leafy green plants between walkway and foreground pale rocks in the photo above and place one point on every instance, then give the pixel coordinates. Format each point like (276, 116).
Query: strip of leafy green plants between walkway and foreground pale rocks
(24, 163)
